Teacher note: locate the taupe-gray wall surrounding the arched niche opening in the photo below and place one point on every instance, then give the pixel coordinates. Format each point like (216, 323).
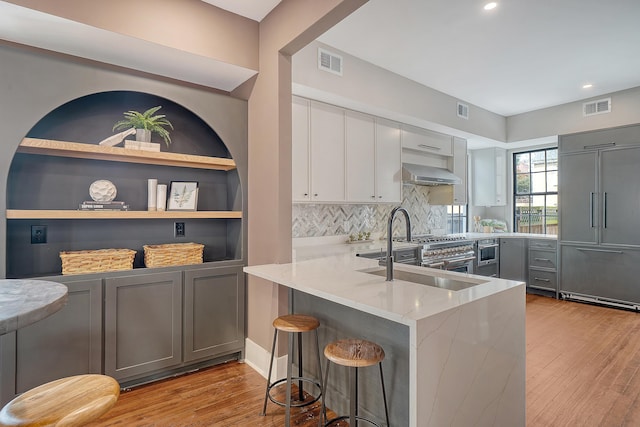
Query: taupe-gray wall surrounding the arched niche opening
(33, 83)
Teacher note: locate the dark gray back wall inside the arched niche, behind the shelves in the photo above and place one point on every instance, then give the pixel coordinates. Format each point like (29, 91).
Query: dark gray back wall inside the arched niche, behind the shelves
(49, 182)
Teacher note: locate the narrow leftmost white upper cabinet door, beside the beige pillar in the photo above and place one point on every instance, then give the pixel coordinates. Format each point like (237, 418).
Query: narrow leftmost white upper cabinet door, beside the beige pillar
(301, 191)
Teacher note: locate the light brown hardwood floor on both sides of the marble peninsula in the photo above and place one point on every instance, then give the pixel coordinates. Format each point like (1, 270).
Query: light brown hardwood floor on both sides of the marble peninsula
(583, 369)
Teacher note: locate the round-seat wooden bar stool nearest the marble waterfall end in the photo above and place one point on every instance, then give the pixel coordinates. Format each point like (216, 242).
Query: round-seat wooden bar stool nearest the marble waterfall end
(353, 353)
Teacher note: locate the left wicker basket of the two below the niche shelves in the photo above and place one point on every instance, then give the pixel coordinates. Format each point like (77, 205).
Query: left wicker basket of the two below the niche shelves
(96, 261)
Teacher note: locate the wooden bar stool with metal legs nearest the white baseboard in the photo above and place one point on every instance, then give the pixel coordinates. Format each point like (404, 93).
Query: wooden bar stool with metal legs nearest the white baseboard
(294, 325)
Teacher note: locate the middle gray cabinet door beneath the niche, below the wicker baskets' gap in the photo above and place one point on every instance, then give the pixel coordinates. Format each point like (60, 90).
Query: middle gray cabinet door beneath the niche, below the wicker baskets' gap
(143, 324)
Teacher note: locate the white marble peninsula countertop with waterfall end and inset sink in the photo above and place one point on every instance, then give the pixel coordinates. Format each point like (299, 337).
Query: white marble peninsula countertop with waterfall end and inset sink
(466, 348)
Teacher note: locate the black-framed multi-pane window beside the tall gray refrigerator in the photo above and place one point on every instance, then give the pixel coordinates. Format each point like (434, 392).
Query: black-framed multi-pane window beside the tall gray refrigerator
(535, 191)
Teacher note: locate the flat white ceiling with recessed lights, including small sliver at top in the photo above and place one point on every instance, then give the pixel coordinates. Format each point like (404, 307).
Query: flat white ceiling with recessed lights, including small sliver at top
(522, 56)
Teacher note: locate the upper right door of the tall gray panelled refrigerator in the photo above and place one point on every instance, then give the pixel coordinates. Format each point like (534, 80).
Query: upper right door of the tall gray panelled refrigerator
(620, 189)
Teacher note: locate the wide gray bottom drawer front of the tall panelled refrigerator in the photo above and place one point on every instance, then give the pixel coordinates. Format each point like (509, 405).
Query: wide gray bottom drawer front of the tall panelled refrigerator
(610, 273)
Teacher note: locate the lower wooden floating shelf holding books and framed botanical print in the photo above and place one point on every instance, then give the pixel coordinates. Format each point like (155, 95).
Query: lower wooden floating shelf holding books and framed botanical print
(77, 214)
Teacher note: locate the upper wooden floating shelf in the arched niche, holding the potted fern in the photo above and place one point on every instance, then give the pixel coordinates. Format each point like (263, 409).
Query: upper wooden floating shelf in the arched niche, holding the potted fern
(77, 150)
